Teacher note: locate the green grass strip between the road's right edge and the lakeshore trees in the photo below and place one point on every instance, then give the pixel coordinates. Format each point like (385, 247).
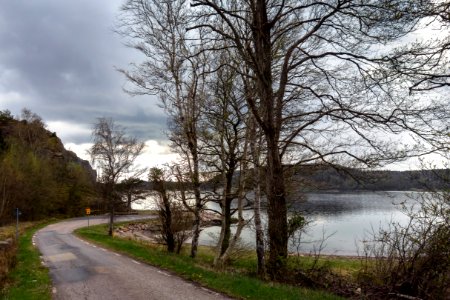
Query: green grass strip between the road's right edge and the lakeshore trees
(236, 284)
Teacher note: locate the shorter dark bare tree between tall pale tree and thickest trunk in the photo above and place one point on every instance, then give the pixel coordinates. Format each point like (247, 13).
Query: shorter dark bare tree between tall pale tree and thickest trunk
(224, 151)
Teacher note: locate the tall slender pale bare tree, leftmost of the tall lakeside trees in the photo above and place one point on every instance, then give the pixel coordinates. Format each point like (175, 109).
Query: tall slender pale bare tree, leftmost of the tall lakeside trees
(158, 30)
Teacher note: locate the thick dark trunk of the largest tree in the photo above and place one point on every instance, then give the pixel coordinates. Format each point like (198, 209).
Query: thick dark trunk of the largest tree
(271, 125)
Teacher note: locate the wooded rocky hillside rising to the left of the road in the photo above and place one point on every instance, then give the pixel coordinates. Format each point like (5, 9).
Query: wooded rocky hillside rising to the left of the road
(37, 174)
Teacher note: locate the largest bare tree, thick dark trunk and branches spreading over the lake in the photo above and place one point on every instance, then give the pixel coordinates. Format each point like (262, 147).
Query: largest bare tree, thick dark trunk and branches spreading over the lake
(328, 86)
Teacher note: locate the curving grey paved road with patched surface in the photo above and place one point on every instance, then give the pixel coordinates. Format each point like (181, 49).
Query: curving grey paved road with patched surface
(81, 270)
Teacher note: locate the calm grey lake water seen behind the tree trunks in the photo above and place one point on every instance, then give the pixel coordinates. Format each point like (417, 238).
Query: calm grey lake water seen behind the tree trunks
(344, 219)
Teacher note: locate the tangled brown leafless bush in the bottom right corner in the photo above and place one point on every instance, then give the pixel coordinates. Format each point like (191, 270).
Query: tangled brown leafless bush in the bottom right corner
(414, 259)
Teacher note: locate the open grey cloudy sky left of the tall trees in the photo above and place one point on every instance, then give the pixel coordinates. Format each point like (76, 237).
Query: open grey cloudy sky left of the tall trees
(58, 59)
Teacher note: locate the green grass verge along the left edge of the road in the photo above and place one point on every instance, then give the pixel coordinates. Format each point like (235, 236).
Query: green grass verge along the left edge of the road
(29, 279)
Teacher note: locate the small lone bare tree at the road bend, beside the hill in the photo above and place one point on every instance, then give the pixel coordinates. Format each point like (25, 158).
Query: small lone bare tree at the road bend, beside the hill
(114, 153)
